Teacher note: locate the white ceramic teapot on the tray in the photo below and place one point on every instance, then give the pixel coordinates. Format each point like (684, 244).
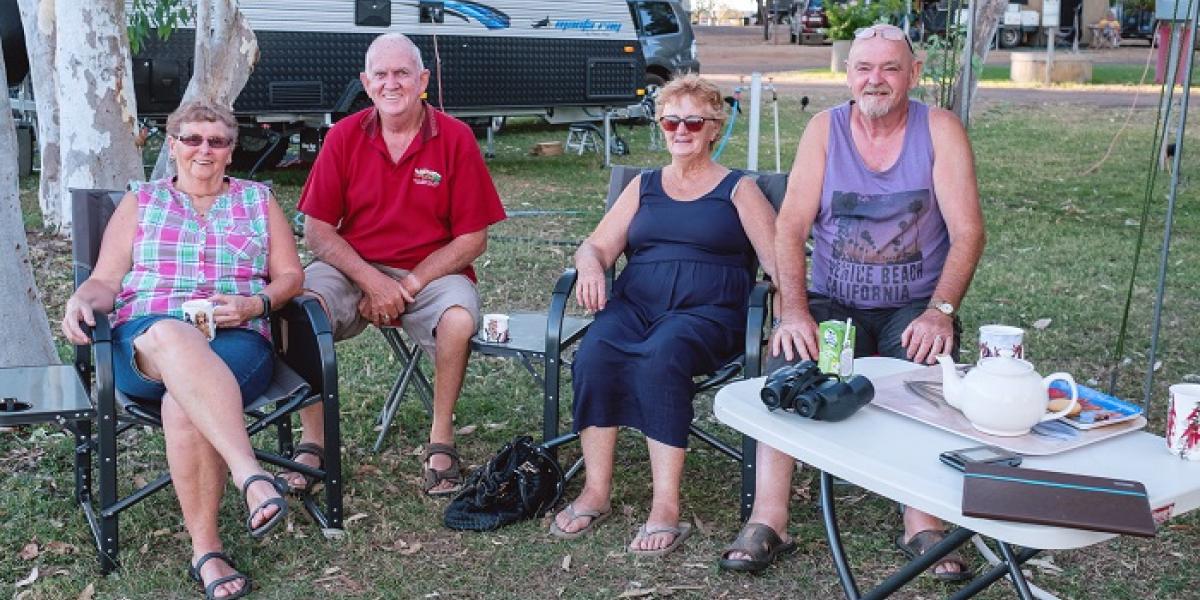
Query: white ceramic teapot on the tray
(1003, 395)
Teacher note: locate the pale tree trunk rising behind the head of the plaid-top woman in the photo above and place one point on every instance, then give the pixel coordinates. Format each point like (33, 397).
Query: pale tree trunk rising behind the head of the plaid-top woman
(226, 55)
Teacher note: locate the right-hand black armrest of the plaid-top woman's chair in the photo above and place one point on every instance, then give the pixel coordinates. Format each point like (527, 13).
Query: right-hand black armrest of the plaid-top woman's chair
(304, 339)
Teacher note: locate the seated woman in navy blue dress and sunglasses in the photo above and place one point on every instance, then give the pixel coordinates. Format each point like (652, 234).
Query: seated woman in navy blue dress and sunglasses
(692, 233)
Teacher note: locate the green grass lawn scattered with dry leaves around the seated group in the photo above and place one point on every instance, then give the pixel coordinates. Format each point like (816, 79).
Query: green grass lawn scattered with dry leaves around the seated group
(1060, 248)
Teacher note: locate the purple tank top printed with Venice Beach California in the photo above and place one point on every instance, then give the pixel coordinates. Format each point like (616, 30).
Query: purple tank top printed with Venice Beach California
(880, 241)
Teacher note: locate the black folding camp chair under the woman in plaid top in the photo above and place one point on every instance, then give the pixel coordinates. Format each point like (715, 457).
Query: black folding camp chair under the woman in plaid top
(305, 374)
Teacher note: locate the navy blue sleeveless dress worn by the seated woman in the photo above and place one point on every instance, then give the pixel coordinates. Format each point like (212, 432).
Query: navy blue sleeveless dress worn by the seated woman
(677, 311)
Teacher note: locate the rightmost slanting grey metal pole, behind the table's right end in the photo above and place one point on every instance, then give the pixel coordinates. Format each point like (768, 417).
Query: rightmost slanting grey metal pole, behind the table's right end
(1173, 190)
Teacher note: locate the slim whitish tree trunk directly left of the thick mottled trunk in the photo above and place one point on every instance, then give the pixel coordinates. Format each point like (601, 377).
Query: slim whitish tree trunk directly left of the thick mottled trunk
(38, 19)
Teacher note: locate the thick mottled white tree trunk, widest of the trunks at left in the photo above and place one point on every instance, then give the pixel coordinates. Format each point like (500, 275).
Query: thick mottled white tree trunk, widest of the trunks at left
(98, 117)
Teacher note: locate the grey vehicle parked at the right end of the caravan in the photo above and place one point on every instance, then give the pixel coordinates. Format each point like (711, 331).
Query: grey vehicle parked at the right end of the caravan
(669, 44)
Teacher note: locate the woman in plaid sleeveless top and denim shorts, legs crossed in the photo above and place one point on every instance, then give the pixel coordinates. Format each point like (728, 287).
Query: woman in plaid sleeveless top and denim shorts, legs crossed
(197, 236)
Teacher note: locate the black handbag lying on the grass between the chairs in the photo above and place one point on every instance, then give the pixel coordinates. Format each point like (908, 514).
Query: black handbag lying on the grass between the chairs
(521, 482)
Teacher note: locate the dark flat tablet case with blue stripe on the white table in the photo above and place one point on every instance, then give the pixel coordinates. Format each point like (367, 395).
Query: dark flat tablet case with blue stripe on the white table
(1063, 500)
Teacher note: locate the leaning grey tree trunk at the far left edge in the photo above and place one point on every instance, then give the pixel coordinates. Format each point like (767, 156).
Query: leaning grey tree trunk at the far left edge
(23, 329)
